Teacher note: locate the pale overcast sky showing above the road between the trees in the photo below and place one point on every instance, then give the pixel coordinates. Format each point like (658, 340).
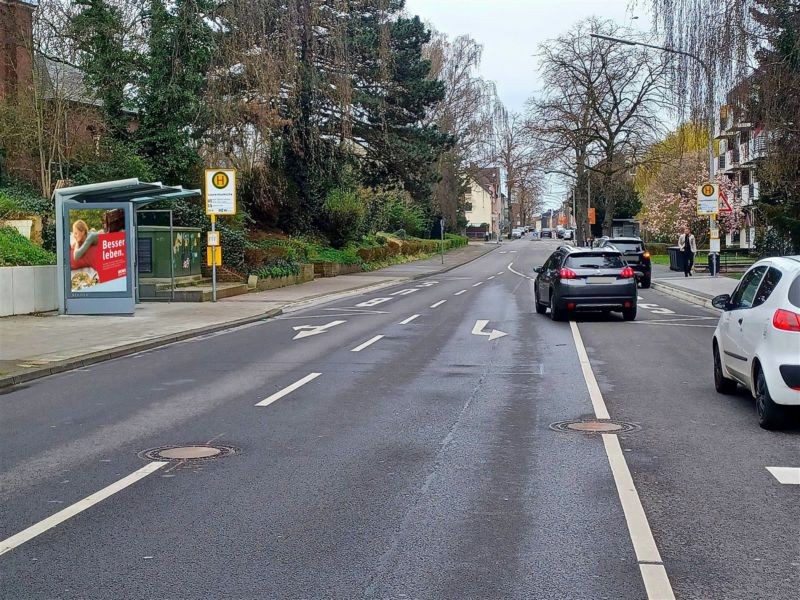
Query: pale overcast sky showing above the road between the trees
(511, 31)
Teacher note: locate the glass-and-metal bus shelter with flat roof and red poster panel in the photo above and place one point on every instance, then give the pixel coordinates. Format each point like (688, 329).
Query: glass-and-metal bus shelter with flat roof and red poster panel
(96, 242)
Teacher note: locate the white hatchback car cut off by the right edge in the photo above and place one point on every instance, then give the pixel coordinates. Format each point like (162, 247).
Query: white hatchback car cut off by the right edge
(757, 340)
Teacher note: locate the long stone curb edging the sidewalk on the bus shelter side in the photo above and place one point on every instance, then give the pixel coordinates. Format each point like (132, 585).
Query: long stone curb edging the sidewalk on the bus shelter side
(128, 349)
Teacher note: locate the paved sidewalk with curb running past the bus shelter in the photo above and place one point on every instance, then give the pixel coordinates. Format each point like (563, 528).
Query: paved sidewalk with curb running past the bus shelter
(37, 346)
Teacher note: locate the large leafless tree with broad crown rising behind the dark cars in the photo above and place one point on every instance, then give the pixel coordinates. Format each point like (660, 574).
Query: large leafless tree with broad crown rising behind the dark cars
(602, 105)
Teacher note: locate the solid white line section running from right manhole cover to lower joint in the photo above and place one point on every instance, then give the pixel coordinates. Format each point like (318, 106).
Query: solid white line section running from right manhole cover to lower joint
(643, 543)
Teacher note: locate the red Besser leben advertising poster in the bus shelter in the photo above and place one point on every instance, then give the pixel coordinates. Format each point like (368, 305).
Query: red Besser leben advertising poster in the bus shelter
(98, 257)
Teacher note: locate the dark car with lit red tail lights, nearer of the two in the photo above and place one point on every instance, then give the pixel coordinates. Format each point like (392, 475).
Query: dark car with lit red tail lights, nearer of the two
(585, 279)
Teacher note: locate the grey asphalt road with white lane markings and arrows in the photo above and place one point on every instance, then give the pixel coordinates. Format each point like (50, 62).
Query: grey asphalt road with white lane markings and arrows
(423, 465)
